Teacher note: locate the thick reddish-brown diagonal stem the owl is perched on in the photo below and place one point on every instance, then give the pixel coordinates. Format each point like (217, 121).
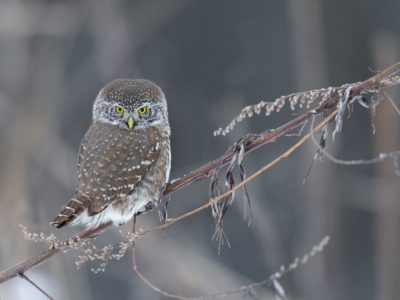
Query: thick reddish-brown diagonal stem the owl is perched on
(376, 82)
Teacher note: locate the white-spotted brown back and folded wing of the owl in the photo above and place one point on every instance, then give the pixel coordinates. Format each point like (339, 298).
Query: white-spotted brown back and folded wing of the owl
(112, 162)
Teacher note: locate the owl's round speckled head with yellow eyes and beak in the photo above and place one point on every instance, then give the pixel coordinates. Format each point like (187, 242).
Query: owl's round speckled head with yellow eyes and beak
(131, 104)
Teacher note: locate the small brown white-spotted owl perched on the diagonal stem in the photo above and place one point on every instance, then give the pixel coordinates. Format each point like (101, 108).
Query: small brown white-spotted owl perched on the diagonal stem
(124, 158)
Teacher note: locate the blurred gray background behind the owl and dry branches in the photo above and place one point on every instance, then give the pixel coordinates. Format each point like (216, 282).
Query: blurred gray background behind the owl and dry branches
(211, 58)
